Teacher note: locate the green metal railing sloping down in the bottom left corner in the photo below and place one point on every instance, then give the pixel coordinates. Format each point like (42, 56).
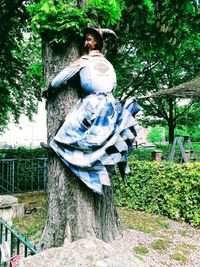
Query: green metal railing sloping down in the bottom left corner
(18, 245)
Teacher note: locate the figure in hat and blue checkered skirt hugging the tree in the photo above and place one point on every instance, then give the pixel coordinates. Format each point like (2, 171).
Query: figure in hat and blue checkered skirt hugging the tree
(99, 130)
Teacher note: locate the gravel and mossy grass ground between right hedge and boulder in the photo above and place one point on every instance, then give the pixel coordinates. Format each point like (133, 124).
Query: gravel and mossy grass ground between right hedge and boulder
(158, 241)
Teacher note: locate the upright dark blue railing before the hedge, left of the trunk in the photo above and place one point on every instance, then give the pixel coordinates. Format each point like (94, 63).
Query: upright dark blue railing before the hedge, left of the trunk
(23, 175)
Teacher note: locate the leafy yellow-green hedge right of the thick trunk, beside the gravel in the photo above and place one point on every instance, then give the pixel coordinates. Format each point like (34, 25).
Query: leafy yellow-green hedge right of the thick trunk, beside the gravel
(164, 188)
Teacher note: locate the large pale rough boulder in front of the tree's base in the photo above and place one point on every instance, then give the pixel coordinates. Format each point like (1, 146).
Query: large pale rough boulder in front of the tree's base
(82, 253)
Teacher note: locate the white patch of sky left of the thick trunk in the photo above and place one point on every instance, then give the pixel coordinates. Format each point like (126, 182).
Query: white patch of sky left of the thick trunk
(27, 133)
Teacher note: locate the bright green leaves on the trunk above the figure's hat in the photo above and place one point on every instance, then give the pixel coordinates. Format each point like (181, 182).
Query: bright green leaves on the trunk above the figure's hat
(57, 20)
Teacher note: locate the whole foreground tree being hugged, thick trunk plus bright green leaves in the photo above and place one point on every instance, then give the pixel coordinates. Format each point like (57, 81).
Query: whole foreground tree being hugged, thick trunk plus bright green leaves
(74, 211)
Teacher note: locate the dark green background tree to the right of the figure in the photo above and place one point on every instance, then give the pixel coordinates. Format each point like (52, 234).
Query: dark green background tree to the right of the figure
(159, 47)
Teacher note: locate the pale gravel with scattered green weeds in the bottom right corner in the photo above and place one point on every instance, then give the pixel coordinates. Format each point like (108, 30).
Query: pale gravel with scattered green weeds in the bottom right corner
(181, 241)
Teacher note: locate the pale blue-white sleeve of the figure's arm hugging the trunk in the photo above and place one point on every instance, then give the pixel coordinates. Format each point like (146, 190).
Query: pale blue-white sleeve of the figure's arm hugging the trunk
(66, 74)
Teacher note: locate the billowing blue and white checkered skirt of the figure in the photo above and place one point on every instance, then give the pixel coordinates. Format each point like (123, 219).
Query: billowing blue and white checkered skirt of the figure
(96, 135)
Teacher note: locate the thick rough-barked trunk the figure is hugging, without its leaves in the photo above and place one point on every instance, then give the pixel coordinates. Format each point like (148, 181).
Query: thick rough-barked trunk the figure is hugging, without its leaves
(73, 211)
